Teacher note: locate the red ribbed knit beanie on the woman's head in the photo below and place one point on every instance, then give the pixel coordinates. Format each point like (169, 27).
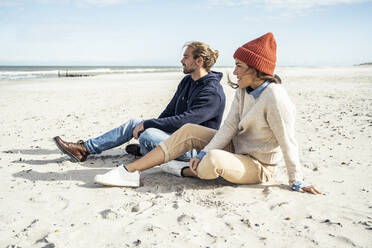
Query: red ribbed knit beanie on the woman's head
(259, 53)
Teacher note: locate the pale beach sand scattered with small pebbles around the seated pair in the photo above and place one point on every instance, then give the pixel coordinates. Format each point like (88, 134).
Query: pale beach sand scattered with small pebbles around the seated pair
(48, 201)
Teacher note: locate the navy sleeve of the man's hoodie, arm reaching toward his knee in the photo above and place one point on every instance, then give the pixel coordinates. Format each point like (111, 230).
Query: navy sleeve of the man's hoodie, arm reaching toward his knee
(204, 107)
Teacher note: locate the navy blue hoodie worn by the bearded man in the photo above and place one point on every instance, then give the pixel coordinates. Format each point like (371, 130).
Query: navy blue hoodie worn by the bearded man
(199, 102)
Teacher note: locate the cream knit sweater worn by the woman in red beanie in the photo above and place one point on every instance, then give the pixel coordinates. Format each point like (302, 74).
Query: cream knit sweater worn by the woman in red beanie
(263, 128)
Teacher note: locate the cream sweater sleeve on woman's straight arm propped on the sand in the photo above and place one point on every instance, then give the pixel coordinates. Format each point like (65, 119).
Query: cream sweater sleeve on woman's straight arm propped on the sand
(281, 119)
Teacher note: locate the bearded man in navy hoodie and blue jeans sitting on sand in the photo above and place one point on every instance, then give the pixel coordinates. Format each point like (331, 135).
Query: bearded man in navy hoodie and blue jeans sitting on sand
(199, 99)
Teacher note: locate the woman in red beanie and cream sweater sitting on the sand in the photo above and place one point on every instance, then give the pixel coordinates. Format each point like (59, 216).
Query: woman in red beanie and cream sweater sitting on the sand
(257, 133)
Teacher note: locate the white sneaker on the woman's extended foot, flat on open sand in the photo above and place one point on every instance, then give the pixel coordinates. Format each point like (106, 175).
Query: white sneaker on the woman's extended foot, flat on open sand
(119, 177)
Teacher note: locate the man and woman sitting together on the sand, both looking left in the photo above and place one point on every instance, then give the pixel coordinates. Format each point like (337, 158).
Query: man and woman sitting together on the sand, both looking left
(257, 133)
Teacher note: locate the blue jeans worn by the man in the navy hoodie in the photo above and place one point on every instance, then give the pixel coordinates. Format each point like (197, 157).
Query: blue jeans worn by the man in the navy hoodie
(148, 139)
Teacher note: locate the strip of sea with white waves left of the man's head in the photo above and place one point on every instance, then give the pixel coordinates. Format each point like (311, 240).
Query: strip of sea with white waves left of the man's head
(36, 72)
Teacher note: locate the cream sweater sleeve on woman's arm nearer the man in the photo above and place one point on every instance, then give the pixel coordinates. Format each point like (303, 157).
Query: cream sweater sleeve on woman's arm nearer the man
(229, 128)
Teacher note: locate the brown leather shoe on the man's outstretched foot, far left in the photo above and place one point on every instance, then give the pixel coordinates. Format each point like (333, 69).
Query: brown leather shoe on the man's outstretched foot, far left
(76, 151)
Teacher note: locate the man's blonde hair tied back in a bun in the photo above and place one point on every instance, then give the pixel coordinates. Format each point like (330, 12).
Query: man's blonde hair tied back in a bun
(200, 49)
